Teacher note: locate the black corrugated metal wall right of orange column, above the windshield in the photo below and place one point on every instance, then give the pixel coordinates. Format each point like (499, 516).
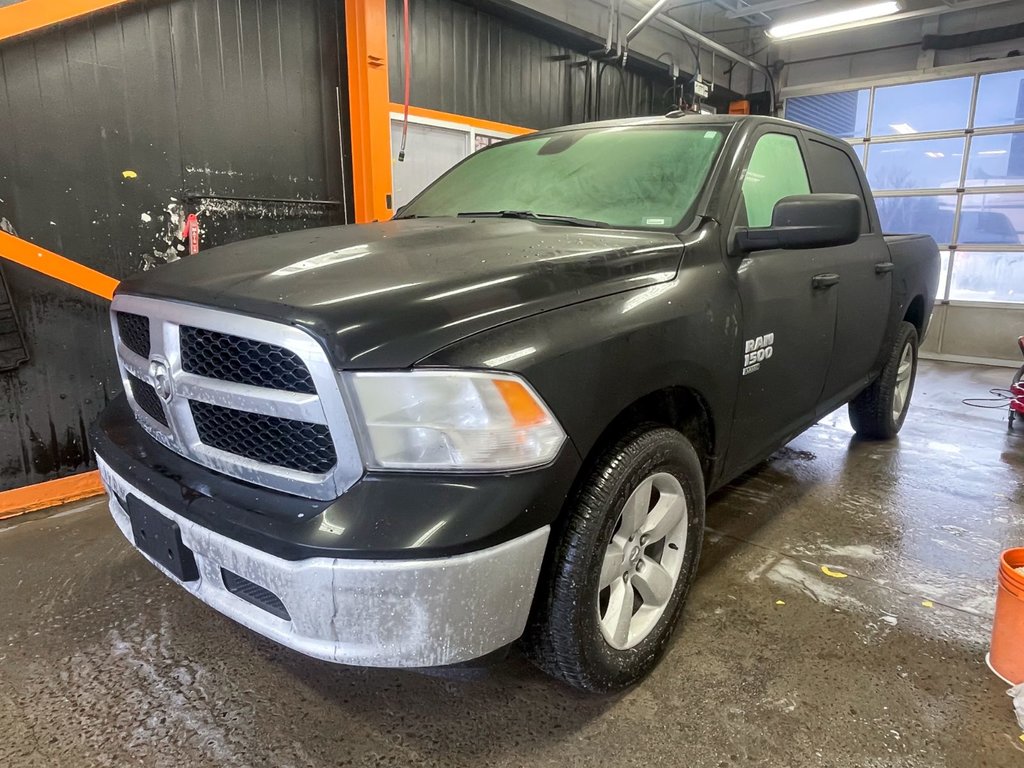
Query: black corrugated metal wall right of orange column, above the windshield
(471, 63)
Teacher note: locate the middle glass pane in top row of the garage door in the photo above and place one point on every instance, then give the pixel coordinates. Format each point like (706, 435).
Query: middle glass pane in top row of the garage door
(918, 108)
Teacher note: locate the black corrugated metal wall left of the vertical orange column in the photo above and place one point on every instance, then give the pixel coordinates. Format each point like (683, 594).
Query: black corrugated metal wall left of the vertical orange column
(114, 127)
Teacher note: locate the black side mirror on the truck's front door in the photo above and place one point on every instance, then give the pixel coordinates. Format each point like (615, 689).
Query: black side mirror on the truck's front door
(819, 221)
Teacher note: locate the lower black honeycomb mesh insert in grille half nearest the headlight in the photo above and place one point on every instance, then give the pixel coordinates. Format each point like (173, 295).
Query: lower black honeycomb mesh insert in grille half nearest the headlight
(284, 443)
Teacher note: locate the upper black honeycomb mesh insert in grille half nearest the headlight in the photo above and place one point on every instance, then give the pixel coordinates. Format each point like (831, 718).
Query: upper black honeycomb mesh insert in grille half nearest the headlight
(229, 358)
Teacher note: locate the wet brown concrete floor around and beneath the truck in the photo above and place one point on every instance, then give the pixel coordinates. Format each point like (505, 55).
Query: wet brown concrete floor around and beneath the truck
(104, 662)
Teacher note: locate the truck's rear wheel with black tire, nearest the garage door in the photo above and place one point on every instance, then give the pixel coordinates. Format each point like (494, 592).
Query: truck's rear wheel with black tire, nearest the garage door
(880, 411)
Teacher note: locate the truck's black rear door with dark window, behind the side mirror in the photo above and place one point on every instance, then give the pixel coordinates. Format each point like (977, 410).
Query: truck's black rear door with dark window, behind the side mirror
(865, 288)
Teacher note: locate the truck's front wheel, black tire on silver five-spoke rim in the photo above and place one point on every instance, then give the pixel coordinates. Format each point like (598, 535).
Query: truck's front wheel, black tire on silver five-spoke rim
(622, 565)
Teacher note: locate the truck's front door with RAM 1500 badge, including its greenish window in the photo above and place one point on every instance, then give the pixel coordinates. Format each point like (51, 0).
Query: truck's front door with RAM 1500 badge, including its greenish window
(788, 323)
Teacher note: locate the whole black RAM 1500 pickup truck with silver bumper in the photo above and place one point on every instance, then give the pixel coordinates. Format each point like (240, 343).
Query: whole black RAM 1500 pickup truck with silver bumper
(412, 443)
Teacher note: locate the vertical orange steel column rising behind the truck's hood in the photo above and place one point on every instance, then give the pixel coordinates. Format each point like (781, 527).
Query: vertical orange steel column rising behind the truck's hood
(366, 28)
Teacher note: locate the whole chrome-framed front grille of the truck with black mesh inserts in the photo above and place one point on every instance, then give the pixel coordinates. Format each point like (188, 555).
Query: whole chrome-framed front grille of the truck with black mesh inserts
(251, 399)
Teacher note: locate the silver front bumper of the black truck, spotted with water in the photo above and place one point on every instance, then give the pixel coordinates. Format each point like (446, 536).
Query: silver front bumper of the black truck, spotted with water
(423, 613)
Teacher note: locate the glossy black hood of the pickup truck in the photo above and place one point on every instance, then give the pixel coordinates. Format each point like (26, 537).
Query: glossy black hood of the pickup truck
(385, 295)
